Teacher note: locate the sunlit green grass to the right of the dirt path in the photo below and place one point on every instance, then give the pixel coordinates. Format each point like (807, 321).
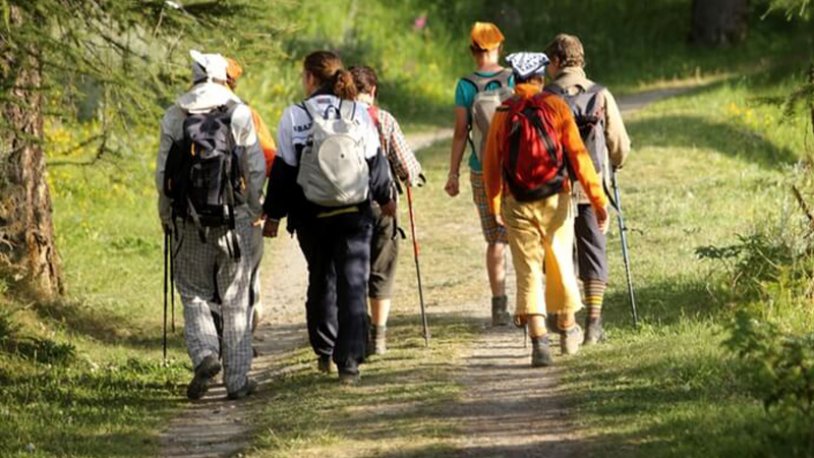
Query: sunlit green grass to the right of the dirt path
(707, 166)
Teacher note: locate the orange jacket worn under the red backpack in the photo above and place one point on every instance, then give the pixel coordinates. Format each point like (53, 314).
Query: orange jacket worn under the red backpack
(565, 125)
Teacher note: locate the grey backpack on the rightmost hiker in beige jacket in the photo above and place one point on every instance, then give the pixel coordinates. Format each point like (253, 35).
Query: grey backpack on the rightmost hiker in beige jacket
(588, 107)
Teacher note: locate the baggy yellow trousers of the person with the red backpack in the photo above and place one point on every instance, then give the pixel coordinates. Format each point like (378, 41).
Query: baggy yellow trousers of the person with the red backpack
(541, 233)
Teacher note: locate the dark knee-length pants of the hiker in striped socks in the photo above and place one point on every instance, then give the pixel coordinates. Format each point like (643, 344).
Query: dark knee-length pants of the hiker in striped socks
(591, 256)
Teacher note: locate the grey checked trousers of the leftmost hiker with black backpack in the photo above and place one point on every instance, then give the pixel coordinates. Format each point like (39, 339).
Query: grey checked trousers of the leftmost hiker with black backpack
(208, 278)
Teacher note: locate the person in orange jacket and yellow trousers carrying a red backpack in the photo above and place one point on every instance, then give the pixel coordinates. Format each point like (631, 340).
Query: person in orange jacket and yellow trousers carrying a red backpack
(532, 144)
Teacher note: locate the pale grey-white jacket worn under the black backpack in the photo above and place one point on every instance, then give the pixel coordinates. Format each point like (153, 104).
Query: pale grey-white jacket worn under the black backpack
(202, 98)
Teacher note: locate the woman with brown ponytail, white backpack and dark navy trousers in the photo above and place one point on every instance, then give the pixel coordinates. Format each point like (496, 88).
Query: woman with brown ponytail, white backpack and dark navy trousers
(328, 169)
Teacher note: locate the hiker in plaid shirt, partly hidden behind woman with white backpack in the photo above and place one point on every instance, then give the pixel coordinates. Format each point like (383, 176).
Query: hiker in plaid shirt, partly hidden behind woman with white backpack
(384, 245)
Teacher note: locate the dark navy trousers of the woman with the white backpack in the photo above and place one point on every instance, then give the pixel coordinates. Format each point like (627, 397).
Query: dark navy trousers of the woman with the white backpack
(337, 250)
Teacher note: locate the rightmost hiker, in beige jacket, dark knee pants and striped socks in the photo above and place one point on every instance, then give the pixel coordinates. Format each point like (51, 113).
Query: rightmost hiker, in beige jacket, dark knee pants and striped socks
(606, 139)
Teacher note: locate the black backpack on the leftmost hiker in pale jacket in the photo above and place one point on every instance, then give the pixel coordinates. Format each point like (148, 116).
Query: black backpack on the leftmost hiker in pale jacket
(206, 172)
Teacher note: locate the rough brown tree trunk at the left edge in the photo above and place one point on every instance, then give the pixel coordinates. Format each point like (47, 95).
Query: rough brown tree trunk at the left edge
(27, 246)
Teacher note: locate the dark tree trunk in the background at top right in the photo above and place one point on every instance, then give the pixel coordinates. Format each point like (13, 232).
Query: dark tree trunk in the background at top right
(719, 22)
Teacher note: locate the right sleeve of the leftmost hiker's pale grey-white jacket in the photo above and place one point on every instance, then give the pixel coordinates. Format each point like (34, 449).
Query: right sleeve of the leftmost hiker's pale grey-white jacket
(246, 136)
